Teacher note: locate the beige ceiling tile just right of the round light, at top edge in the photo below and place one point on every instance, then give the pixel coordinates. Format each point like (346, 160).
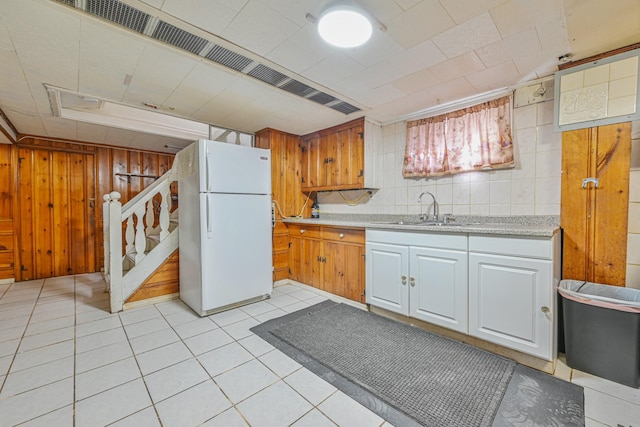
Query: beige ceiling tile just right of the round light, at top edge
(419, 23)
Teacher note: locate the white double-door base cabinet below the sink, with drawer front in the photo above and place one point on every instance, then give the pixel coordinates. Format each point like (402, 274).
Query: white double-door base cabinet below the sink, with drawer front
(419, 275)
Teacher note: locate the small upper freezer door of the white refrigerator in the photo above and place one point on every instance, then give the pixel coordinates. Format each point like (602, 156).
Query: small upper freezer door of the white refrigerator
(230, 168)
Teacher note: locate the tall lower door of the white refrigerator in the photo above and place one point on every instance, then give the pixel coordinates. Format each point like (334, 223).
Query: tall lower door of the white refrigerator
(236, 254)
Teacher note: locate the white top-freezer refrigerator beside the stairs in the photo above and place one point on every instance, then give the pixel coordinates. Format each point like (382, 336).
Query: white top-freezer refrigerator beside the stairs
(225, 228)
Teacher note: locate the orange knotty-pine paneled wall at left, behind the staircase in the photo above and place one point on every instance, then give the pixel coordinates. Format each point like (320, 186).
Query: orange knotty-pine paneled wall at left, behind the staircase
(61, 184)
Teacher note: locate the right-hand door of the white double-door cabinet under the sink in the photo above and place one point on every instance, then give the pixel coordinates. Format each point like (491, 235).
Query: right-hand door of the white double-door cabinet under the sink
(438, 287)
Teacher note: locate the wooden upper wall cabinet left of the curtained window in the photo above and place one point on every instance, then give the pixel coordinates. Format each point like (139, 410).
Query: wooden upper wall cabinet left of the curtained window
(333, 159)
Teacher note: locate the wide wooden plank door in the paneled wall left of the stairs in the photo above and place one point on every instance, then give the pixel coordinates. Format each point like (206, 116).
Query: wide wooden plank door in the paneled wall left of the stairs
(56, 198)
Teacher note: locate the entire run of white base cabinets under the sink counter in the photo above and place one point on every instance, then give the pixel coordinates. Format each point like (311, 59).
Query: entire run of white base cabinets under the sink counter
(501, 289)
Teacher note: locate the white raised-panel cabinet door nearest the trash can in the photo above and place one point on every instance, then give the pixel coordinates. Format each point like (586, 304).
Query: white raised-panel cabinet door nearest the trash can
(511, 302)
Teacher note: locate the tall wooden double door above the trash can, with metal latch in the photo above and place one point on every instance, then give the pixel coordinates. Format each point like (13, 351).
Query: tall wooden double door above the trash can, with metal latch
(595, 219)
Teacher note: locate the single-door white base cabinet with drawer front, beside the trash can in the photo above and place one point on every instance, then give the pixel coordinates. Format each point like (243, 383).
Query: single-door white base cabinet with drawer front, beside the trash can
(512, 292)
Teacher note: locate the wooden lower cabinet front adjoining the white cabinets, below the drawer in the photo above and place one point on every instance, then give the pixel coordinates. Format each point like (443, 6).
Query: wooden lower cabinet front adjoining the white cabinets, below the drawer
(344, 273)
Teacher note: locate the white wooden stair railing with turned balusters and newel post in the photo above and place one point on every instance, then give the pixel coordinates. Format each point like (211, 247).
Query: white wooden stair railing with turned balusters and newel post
(150, 233)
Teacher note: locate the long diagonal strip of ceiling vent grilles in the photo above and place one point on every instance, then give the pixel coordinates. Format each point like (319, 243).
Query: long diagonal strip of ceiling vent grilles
(122, 14)
